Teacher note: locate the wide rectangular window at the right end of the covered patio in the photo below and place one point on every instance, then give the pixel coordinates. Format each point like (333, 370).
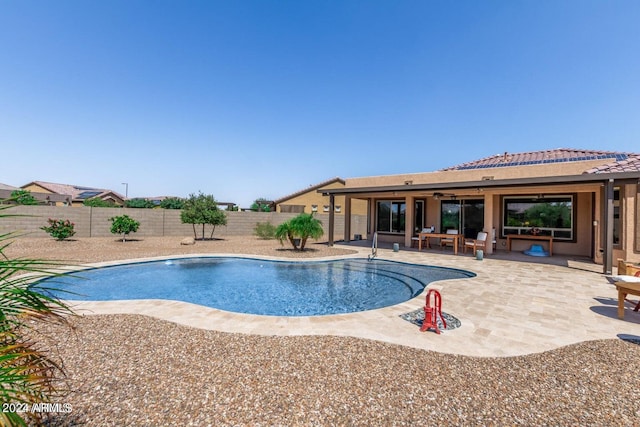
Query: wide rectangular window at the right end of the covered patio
(546, 215)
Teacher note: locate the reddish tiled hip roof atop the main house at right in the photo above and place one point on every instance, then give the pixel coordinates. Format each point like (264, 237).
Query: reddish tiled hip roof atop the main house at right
(559, 155)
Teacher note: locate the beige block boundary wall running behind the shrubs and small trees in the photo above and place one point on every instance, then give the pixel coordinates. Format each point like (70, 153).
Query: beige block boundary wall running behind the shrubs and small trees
(94, 222)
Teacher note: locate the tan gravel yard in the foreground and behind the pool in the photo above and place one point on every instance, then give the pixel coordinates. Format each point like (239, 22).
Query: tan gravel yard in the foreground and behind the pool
(136, 370)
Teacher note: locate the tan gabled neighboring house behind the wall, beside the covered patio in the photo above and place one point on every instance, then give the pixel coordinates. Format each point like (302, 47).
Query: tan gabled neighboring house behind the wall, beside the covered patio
(312, 199)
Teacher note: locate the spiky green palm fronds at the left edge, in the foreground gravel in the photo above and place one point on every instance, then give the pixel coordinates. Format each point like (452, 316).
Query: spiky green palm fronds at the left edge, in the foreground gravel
(27, 374)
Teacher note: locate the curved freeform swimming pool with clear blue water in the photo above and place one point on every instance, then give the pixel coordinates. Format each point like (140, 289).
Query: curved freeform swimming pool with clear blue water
(279, 288)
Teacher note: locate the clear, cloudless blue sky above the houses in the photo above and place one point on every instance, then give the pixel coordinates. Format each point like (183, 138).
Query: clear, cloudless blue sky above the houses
(248, 99)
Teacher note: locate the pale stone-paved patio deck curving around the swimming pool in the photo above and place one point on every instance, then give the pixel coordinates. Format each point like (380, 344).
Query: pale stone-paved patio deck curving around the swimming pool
(515, 305)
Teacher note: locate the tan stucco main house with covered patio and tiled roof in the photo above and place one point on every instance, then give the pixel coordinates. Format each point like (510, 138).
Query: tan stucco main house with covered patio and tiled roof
(587, 201)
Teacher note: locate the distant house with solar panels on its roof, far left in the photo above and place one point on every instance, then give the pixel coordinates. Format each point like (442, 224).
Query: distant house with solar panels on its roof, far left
(74, 195)
